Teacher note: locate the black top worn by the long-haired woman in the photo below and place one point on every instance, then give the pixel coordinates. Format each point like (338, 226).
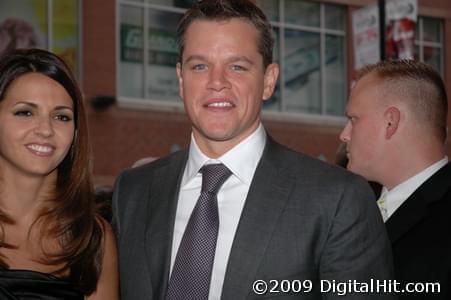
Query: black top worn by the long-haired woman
(26, 284)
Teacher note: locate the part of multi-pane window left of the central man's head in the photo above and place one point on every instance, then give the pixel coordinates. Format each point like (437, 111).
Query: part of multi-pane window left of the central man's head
(148, 51)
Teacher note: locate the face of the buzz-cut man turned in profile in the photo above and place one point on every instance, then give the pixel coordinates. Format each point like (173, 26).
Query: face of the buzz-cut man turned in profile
(364, 134)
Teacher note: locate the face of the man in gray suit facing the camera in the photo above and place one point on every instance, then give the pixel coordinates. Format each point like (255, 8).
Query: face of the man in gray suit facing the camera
(223, 82)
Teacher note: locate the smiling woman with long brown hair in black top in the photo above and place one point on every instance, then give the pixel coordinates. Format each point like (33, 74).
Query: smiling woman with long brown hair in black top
(53, 243)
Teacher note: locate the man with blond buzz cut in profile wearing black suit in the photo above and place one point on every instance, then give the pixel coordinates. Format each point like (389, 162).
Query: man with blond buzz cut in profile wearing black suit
(396, 136)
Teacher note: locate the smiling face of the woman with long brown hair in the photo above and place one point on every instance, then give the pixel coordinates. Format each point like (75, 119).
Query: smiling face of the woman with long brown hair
(36, 125)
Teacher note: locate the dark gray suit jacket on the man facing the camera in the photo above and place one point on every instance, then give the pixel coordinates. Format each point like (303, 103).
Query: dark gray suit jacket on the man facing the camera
(303, 219)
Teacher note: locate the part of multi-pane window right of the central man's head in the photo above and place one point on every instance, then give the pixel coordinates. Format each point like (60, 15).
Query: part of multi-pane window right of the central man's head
(311, 38)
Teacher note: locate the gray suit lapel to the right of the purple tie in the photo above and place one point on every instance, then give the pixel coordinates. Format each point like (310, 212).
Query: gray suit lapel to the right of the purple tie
(265, 201)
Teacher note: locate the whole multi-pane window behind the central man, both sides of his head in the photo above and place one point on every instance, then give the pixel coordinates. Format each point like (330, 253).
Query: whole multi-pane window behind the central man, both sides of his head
(310, 49)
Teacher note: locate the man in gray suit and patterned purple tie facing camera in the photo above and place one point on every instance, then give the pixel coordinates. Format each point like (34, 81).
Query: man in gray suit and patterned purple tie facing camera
(289, 226)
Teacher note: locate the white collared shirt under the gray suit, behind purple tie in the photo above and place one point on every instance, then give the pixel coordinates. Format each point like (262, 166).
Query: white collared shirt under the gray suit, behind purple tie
(242, 160)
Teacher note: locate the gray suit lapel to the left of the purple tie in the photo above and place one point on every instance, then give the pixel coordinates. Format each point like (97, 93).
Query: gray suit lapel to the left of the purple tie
(160, 222)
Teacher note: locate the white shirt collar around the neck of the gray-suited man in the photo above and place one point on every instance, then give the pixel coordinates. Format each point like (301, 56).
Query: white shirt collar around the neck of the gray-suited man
(241, 160)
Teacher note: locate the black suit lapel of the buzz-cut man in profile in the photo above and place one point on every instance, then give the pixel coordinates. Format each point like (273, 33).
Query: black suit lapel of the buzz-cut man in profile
(416, 207)
